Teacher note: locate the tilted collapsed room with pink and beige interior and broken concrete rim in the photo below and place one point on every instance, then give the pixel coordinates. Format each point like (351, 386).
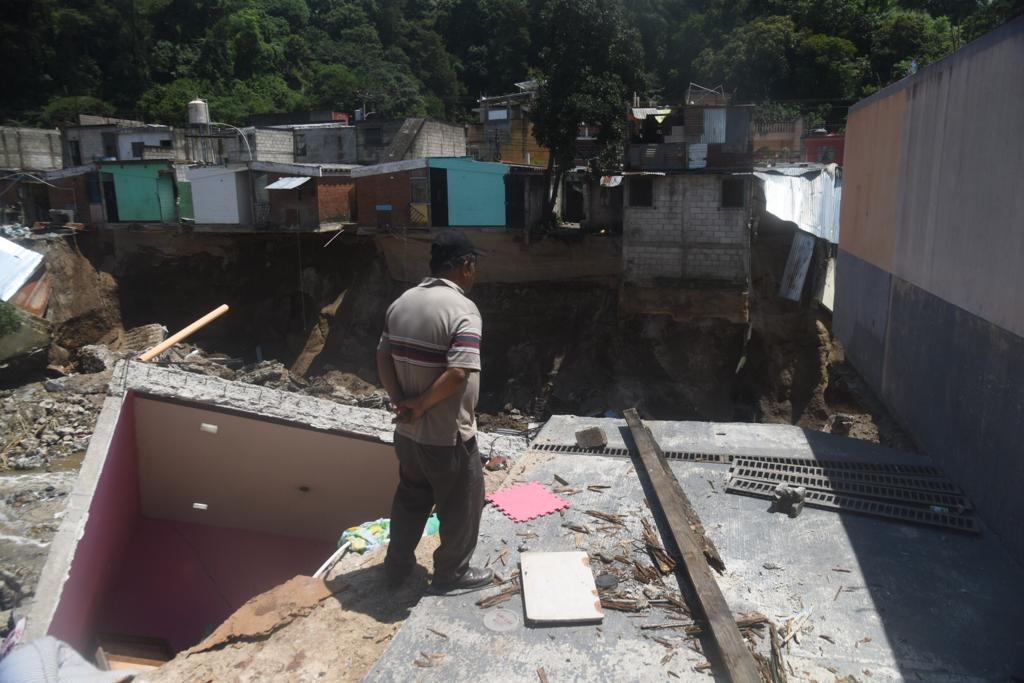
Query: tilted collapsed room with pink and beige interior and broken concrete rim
(198, 494)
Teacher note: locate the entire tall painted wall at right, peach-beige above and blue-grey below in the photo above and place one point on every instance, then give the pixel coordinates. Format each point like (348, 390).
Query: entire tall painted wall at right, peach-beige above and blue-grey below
(929, 303)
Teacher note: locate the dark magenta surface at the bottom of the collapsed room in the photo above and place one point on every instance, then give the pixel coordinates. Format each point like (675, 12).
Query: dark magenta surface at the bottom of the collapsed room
(179, 581)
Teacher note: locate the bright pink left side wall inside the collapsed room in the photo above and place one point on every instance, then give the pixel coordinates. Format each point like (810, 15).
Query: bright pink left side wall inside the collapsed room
(113, 514)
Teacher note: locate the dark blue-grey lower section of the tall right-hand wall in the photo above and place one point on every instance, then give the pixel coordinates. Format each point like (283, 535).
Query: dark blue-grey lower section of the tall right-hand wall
(953, 379)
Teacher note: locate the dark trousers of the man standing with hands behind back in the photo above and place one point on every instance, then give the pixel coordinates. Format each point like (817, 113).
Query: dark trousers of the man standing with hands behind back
(450, 478)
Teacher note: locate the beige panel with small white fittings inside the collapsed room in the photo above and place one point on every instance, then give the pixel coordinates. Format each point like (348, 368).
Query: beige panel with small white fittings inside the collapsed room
(251, 472)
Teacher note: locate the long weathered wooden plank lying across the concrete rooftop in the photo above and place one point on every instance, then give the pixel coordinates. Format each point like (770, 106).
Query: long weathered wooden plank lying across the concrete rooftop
(670, 497)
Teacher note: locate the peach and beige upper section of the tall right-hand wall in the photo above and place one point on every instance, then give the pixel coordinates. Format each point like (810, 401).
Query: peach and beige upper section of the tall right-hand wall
(933, 175)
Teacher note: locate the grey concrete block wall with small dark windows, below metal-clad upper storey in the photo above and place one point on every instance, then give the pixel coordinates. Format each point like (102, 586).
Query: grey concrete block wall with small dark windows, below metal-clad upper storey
(687, 234)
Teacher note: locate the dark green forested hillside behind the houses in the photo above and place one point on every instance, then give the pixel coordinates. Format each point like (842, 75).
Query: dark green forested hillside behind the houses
(146, 59)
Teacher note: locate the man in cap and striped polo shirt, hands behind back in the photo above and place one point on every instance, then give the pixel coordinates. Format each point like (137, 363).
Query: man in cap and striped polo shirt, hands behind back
(430, 362)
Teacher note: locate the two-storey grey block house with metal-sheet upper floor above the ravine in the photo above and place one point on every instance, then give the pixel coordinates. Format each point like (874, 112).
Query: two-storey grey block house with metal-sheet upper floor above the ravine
(687, 205)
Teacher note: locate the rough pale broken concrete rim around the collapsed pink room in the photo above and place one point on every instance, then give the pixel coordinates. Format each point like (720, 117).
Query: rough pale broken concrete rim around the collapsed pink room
(146, 379)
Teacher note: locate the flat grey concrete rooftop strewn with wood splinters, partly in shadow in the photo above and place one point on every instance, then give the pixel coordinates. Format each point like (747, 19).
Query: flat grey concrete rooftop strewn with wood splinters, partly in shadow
(887, 601)
